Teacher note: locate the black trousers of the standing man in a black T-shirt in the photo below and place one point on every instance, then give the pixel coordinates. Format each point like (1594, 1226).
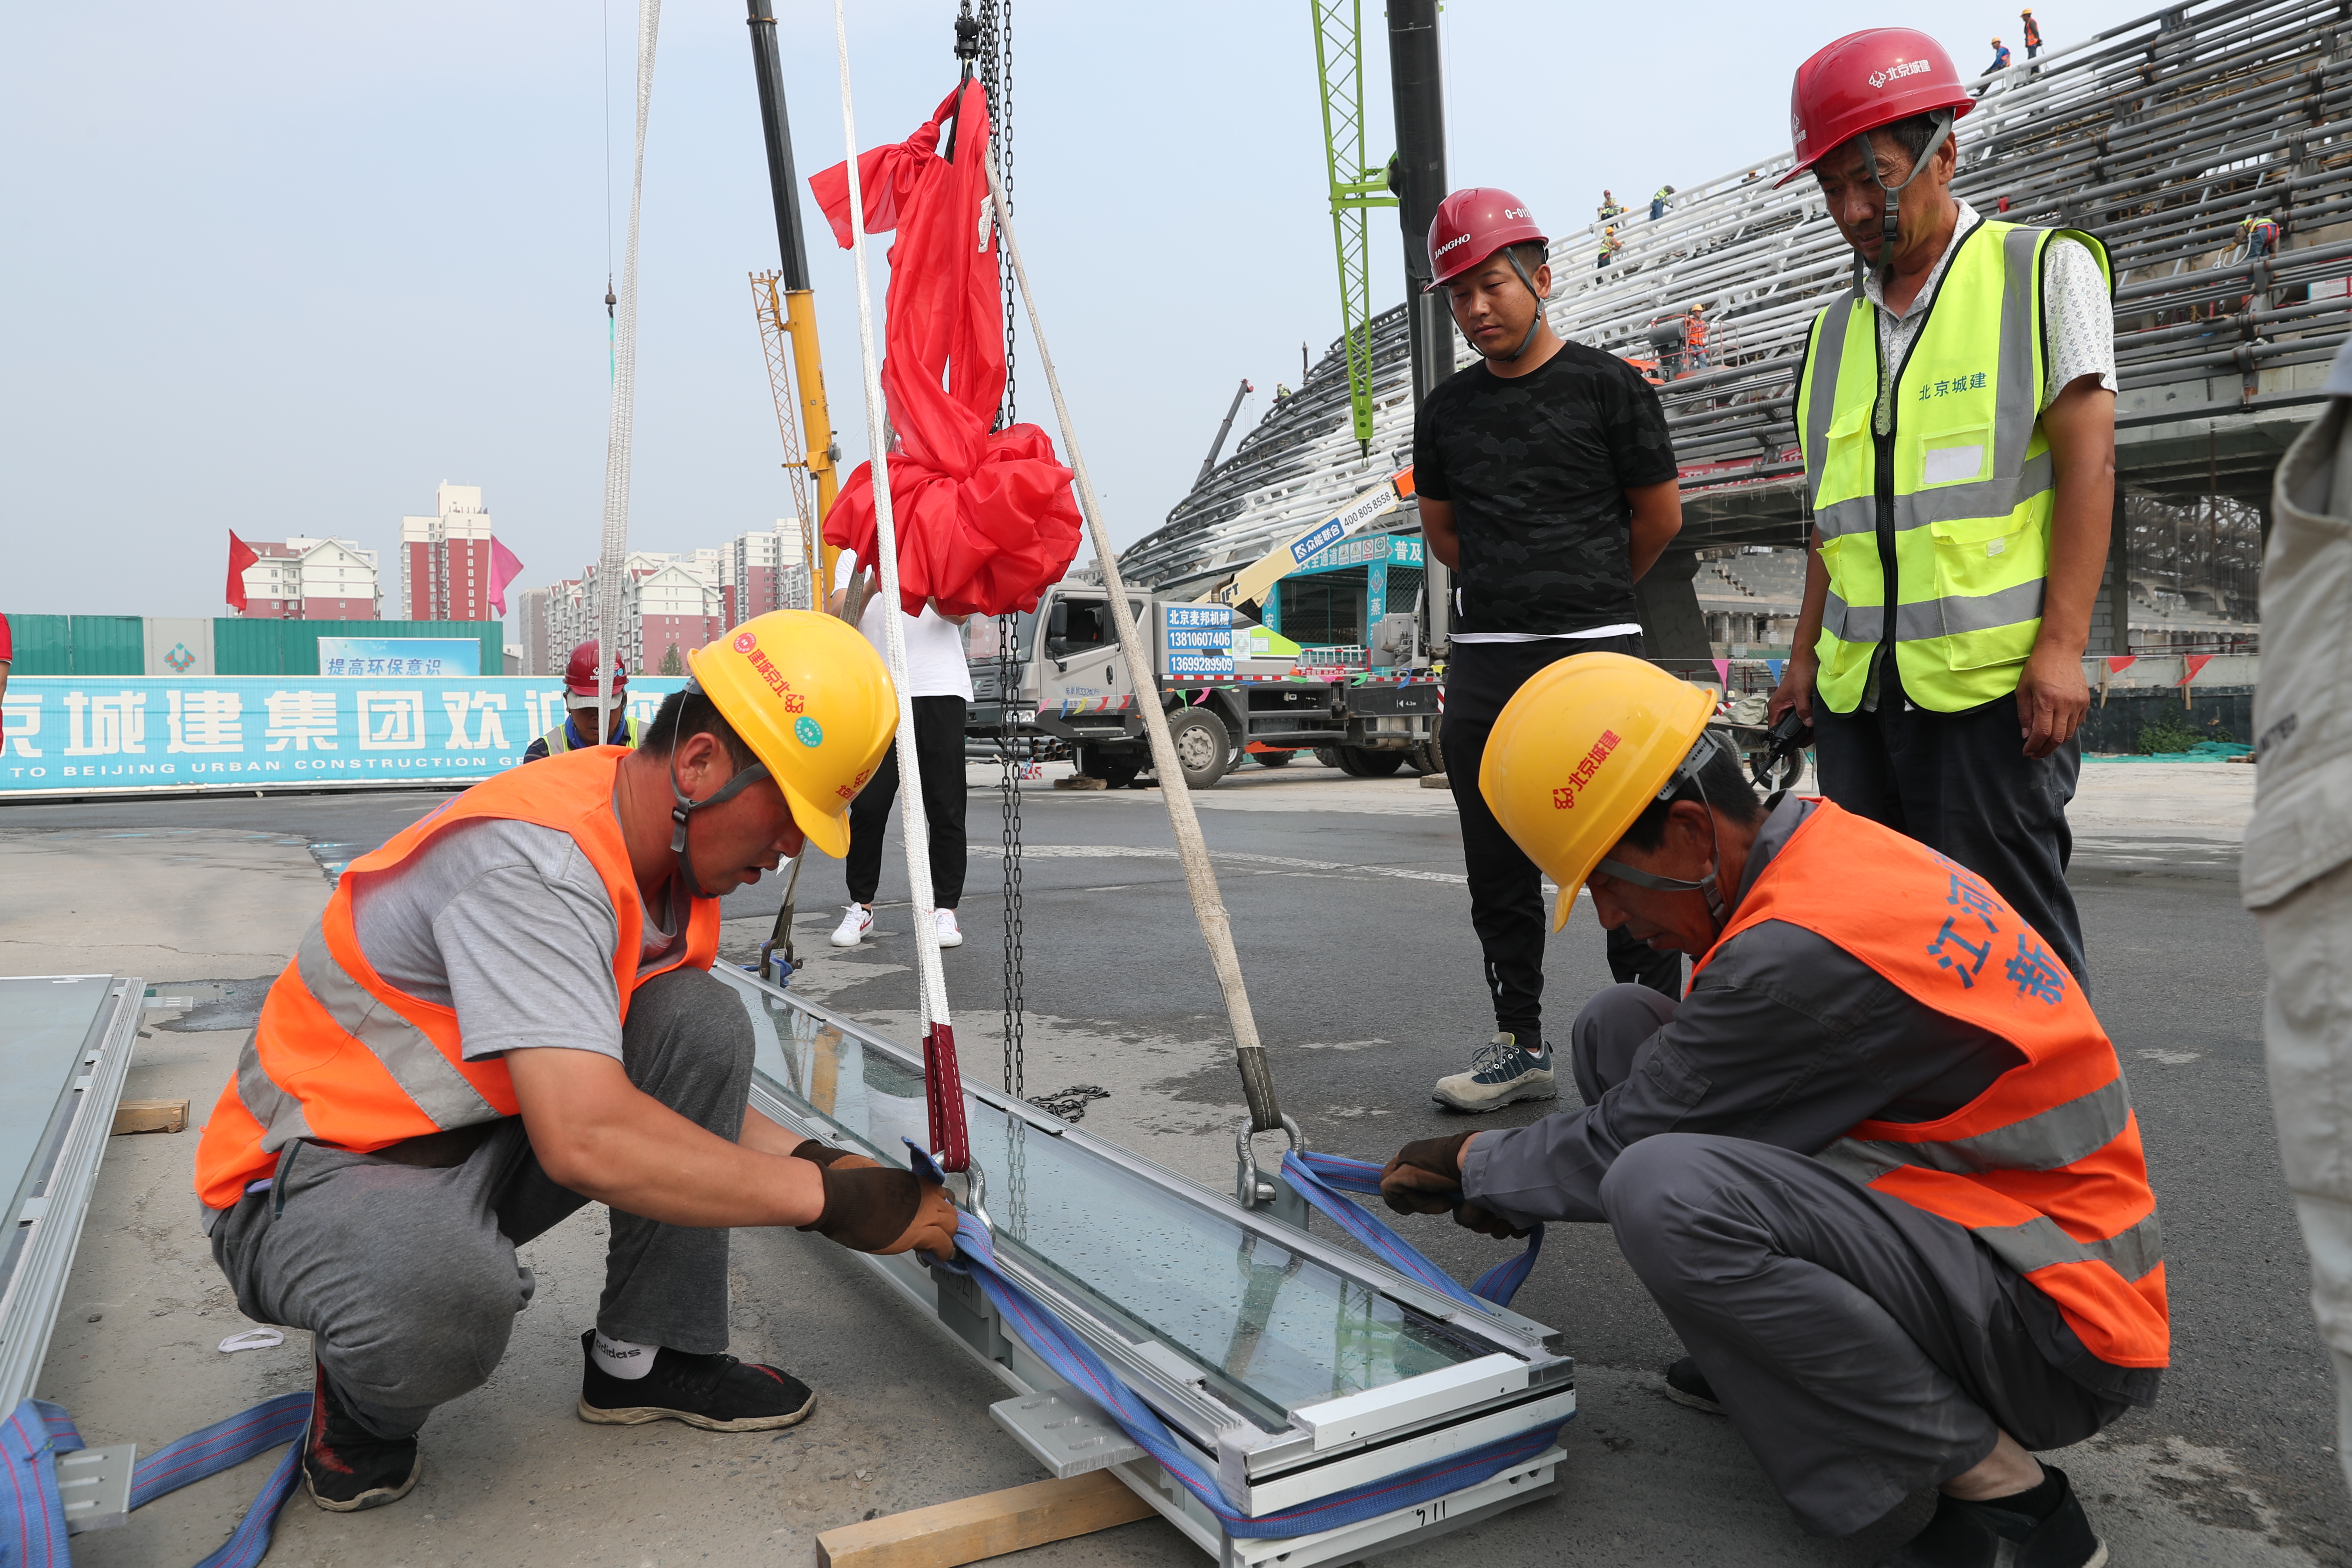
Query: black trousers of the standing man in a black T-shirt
(1506, 887)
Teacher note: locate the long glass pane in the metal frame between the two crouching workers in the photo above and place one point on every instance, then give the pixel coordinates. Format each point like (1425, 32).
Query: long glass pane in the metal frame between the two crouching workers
(1269, 1329)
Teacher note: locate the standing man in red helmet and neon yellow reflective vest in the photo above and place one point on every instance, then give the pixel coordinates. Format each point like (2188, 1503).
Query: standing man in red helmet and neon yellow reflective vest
(1958, 429)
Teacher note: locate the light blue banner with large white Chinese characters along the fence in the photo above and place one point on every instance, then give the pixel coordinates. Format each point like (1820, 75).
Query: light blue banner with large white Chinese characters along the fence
(69, 735)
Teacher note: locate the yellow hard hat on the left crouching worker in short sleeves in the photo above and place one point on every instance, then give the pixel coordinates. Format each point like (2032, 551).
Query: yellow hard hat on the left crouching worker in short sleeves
(813, 699)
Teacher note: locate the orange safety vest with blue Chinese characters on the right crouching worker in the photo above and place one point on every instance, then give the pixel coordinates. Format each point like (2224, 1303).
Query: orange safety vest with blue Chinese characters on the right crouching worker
(2045, 1167)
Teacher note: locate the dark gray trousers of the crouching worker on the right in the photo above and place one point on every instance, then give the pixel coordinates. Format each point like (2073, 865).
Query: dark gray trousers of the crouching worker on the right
(1862, 1348)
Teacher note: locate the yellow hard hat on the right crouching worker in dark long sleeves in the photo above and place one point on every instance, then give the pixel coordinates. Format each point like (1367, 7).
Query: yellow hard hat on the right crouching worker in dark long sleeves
(1579, 751)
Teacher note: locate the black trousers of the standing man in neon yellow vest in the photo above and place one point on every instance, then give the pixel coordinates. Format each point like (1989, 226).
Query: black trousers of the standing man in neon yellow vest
(1965, 786)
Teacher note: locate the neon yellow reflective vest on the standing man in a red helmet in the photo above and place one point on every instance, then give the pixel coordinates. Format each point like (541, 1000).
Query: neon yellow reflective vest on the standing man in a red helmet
(1972, 478)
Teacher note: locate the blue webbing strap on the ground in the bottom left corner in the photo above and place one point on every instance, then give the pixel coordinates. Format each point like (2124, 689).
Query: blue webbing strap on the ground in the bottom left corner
(34, 1520)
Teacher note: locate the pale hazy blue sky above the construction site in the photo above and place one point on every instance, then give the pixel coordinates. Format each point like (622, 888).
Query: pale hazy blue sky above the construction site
(283, 269)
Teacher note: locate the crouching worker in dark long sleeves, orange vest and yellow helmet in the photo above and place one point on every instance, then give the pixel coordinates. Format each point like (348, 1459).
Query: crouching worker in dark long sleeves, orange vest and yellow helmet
(1878, 1165)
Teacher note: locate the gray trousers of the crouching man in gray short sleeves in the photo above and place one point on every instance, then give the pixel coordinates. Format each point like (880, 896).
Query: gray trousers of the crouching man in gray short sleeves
(408, 1275)
